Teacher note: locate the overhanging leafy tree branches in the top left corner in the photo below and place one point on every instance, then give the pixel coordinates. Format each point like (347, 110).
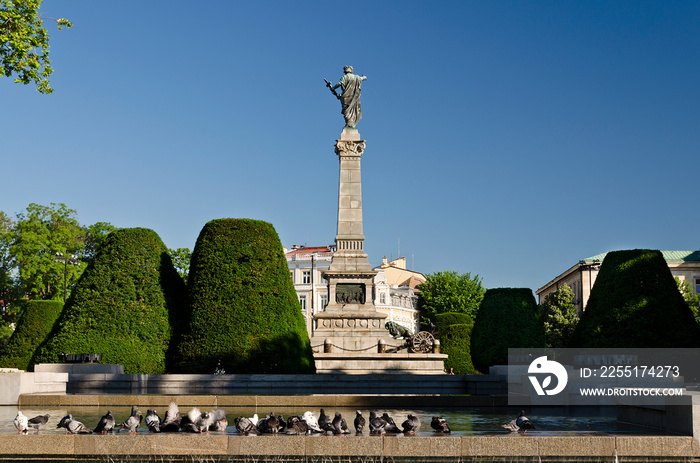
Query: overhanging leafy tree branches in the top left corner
(24, 43)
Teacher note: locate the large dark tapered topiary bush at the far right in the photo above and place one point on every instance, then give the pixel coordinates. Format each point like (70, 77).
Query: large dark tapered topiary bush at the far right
(635, 302)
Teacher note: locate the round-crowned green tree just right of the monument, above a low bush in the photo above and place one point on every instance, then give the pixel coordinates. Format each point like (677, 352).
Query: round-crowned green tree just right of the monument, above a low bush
(449, 291)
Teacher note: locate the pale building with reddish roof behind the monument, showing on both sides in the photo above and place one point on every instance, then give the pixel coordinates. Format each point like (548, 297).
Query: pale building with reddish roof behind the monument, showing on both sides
(395, 288)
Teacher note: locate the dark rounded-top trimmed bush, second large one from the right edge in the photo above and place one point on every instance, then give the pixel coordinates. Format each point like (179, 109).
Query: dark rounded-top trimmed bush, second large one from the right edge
(507, 318)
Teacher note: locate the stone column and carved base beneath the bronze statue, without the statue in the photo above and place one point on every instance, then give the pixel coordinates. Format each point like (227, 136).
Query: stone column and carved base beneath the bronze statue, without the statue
(350, 321)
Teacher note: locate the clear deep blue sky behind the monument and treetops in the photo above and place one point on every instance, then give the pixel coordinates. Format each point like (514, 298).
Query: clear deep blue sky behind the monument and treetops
(506, 139)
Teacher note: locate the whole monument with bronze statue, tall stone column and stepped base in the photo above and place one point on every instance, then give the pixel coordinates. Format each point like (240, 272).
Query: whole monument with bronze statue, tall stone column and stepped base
(349, 334)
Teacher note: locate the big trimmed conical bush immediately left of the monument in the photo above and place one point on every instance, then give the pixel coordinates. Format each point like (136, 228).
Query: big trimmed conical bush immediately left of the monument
(244, 307)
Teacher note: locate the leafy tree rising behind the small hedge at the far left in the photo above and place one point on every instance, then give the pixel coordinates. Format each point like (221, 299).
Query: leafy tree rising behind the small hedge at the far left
(39, 235)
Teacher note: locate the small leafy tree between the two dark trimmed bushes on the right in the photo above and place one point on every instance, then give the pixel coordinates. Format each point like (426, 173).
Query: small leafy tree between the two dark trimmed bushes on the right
(559, 316)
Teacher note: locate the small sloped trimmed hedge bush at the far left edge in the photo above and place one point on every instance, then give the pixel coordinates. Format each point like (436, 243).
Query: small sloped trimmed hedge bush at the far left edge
(34, 325)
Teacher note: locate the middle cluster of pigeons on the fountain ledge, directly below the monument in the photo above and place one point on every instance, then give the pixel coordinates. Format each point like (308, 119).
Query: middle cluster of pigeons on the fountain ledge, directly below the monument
(324, 424)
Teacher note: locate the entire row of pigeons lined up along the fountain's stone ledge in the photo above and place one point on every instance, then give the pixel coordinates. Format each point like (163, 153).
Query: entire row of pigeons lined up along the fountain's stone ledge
(196, 421)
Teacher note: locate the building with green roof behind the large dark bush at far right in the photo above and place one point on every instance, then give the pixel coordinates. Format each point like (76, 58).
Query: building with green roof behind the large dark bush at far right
(684, 265)
